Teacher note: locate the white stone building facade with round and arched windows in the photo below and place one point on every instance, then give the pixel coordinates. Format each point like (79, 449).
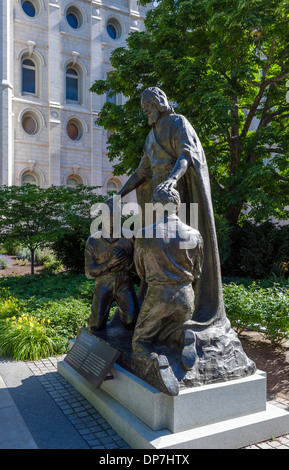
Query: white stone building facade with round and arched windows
(48, 155)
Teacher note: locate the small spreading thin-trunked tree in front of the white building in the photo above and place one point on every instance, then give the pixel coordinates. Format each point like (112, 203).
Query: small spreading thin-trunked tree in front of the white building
(36, 217)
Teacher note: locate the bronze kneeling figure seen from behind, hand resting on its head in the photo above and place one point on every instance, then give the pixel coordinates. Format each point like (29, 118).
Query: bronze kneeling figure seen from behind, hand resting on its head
(170, 270)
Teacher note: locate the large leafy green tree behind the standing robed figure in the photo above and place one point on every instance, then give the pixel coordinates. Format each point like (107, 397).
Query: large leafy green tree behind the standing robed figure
(225, 64)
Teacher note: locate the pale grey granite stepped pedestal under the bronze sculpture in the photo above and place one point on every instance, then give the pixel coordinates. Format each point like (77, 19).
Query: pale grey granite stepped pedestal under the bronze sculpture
(226, 415)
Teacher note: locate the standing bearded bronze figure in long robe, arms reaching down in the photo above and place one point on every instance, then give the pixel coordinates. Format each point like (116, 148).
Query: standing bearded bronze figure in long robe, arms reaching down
(174, 157)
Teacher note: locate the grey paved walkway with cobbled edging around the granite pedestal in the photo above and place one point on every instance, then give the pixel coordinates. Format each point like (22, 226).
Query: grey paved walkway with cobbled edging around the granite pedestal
(39, 409)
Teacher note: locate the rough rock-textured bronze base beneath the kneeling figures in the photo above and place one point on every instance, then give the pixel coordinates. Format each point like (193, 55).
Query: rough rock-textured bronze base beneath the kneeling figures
(219, 357)
